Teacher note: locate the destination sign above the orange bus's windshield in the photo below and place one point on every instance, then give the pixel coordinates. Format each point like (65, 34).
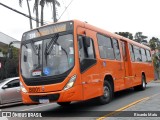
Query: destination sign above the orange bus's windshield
(47, 30)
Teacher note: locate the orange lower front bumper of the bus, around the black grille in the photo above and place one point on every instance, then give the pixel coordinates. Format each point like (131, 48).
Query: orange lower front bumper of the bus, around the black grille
(73, 94)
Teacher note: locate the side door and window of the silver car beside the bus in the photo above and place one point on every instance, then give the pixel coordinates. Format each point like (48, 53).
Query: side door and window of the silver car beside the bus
(12, 92)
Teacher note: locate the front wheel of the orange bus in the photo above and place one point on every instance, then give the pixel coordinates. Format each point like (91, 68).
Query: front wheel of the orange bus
(107, 94)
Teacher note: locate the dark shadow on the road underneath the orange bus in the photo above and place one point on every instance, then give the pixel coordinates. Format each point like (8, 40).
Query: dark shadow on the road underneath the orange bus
(86, 108)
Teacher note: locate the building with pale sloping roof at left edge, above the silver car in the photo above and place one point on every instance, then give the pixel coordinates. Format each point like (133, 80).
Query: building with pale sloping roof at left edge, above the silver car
(8, 68)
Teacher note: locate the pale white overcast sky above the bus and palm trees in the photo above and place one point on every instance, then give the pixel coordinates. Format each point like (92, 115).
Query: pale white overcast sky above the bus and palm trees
(112, 15)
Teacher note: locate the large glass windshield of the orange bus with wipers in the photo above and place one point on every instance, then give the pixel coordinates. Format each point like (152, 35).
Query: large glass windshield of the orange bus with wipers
(47, 57)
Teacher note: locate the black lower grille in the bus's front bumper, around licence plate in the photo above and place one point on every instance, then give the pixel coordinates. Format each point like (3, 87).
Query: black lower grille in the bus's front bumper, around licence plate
(51, 97)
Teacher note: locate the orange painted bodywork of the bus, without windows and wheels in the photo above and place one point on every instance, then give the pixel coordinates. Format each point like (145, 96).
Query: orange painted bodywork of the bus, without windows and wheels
(89, 84)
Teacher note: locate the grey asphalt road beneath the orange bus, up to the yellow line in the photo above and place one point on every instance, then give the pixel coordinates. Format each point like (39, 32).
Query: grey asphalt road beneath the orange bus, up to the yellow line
(88, 109)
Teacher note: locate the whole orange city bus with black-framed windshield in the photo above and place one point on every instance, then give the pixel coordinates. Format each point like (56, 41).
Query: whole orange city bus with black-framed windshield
(75, 61)
